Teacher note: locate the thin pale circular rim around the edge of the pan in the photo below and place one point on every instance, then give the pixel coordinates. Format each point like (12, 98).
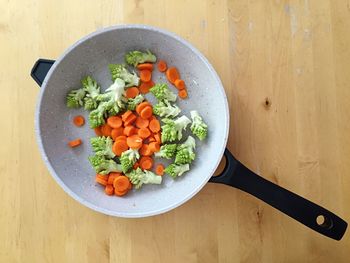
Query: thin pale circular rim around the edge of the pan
(88, 203)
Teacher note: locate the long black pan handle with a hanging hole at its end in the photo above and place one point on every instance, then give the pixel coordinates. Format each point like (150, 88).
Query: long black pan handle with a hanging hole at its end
(237, 175)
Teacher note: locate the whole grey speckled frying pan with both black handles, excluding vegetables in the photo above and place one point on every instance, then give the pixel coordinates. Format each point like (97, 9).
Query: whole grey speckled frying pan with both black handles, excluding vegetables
(70, 167)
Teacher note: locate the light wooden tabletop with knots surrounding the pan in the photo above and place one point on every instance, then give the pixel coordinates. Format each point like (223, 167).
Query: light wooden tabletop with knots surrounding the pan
(285, 66)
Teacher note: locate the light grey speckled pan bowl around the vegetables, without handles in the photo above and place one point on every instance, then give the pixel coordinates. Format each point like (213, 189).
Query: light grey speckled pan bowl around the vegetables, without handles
(91, 55)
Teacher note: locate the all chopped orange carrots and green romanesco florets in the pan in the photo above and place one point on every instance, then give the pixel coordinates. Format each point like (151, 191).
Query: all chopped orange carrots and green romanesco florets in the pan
(132, 134)
